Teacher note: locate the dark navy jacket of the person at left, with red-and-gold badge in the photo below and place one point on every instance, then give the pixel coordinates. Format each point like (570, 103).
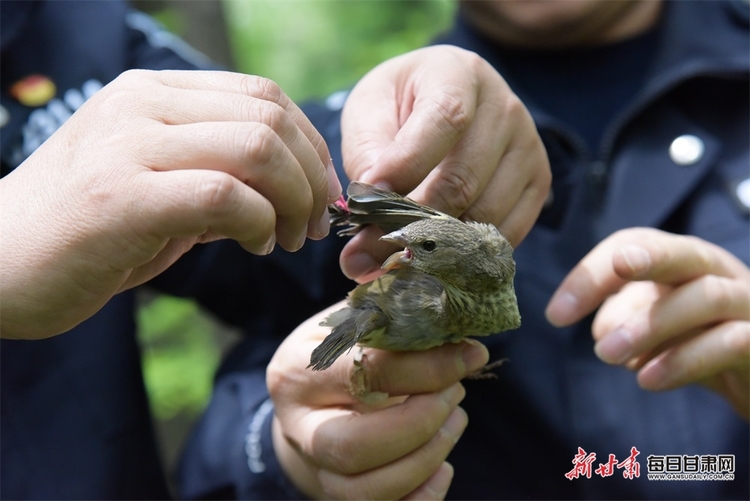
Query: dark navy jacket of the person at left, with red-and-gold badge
(74, 419)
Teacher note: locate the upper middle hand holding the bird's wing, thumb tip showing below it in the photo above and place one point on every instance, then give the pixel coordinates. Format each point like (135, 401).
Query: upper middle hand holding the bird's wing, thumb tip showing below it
(442, 126)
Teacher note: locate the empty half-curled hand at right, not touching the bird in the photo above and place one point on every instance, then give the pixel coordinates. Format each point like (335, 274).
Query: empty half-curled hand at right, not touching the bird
(674, 308)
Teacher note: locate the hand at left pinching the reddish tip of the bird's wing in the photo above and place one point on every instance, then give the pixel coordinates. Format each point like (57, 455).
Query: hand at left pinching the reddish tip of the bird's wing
(151, 165)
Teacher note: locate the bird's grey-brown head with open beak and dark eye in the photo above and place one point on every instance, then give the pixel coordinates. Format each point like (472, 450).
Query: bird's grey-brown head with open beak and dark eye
(464, 254)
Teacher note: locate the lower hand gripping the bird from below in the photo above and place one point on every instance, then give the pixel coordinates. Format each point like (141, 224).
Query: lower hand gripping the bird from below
(332, 445)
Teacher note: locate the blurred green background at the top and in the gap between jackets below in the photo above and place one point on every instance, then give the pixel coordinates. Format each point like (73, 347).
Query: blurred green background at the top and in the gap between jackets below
(311, 48)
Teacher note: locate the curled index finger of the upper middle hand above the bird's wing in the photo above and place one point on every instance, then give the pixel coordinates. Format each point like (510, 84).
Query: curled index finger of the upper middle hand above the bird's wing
(401, 143)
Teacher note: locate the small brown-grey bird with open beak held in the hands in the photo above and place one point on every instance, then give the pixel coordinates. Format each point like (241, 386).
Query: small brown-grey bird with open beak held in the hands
(453, 279)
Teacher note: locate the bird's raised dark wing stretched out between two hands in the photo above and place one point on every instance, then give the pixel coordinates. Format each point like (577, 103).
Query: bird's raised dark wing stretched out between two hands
(368, 204)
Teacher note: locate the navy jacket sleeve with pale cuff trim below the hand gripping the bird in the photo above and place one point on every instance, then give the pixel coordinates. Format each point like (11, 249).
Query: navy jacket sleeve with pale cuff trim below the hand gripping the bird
(230, 454)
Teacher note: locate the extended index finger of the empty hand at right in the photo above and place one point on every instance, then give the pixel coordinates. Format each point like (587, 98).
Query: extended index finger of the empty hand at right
(635, 254)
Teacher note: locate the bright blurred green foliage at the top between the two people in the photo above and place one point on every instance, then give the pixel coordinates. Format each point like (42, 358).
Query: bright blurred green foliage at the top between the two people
(314, 47)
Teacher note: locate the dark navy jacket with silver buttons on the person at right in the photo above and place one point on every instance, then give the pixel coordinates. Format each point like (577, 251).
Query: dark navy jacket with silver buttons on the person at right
(555, 396)
